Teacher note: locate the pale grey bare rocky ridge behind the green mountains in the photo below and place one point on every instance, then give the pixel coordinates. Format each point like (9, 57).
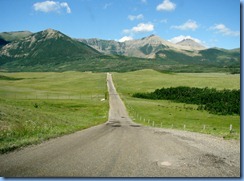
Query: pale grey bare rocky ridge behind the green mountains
(147, 47)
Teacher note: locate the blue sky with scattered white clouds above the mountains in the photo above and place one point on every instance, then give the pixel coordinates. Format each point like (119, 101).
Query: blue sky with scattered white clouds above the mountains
(213, 23)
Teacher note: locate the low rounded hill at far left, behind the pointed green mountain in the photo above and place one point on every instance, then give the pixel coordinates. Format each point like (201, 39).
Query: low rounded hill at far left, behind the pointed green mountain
(15, 35)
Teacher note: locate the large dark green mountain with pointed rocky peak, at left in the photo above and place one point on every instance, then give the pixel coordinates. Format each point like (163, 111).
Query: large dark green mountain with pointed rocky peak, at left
(45, 46)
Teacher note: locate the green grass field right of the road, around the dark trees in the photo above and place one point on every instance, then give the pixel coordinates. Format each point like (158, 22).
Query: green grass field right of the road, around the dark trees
(170, 114)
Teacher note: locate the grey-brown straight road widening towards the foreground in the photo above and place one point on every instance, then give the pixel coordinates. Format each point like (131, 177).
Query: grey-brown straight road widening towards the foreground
(122, 148)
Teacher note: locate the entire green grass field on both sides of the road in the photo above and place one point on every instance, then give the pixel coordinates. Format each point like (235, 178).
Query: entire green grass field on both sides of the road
(39, 106)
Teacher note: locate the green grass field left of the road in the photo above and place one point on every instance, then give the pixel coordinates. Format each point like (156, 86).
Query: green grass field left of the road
(39, 106)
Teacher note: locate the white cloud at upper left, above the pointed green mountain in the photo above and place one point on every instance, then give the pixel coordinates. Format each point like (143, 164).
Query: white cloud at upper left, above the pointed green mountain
(51, 6)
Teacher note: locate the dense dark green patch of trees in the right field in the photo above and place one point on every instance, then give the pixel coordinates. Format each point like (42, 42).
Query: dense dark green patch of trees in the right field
(215, 101)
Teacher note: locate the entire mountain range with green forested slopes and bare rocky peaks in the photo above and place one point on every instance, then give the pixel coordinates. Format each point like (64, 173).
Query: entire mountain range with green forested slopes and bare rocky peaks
(51, 50)
